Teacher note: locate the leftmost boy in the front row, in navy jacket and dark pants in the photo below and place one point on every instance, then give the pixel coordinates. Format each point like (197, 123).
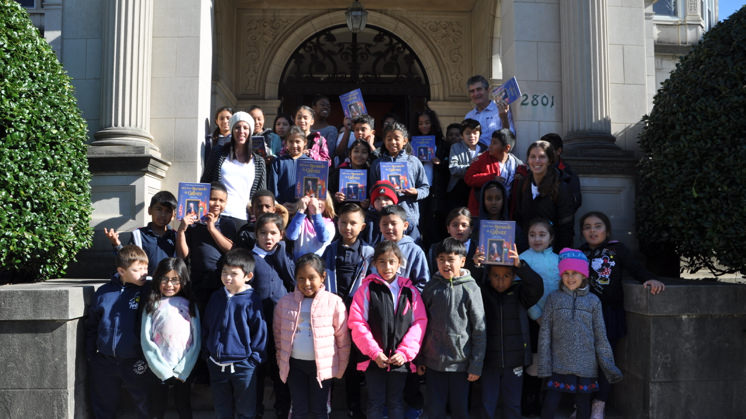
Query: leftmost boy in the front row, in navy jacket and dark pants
(115, 359)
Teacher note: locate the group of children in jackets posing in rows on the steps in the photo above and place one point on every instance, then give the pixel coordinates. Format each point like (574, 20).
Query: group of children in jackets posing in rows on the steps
(336, 290)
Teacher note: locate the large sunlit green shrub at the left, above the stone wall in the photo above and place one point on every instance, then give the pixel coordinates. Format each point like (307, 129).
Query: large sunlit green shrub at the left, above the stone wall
(45, 202)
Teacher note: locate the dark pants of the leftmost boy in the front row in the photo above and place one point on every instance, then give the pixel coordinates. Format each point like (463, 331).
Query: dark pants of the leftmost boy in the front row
(108, 375)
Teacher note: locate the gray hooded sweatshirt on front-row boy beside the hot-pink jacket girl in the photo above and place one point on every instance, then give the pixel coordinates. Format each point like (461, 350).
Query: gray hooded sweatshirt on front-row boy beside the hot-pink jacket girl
(456, 338)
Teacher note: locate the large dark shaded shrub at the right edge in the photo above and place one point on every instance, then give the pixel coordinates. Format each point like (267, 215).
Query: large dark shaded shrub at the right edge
(692, 193)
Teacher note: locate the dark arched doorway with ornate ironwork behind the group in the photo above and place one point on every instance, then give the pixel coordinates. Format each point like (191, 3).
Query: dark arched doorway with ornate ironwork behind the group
(335, 61)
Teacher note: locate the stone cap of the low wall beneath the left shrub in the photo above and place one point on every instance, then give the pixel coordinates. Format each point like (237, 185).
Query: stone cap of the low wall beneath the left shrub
(58, 299)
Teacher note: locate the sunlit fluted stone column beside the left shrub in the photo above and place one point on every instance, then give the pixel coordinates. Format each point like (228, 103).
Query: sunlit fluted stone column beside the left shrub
(125, 92)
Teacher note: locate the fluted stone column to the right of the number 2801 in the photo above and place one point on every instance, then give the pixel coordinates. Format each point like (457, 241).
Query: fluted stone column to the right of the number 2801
(585, 71)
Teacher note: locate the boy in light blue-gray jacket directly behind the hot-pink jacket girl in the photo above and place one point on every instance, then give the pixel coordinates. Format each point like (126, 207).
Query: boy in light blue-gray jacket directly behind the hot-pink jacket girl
(393, 224)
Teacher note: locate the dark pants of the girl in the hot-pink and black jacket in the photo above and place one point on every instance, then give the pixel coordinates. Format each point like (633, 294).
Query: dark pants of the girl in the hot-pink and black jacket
(385, 389)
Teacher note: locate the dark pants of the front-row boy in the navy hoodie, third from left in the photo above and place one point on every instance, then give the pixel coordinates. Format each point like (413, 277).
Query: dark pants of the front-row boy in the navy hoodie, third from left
(233, 391)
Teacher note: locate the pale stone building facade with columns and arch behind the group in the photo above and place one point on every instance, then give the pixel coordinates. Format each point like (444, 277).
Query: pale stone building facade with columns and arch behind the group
(149, 74)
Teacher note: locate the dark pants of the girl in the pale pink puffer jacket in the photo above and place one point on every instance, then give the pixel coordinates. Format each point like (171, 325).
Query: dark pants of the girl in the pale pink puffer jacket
(308, 398)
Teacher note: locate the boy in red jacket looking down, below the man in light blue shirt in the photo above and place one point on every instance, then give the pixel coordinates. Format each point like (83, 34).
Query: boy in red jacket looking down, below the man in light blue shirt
(497, 164)
